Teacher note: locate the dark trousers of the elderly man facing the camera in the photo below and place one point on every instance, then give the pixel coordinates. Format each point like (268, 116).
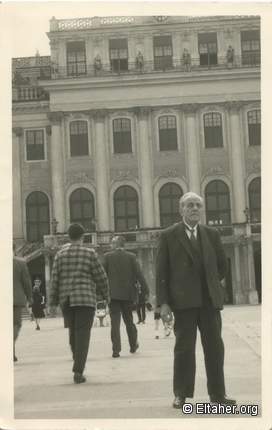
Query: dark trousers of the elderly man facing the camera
(208, 321)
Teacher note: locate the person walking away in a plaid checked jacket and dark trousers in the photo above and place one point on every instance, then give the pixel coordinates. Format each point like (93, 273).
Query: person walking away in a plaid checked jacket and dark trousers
(76, 278)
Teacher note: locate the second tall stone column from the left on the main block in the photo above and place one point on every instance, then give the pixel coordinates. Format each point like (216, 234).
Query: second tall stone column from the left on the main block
(101, 170)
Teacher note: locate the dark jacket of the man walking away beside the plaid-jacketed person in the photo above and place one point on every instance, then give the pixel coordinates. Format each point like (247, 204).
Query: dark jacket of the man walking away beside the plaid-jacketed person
(123, 268)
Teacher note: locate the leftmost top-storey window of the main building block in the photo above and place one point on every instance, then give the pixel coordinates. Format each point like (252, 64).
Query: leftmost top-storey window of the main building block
(76, 58)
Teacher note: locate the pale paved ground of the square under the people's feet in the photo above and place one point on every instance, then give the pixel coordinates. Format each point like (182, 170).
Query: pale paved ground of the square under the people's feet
(134, 386)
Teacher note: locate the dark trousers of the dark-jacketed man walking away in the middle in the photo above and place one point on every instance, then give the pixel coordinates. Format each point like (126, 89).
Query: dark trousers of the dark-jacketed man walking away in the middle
(124, 308)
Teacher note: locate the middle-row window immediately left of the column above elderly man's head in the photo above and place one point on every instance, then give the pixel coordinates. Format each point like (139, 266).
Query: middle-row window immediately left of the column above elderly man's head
(168, 133)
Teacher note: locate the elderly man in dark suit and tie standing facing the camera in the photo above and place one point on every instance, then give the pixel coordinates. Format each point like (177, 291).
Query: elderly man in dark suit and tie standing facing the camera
(190, 264)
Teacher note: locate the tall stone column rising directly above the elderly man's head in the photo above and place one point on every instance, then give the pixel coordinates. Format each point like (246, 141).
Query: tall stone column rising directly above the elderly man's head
(192, 155)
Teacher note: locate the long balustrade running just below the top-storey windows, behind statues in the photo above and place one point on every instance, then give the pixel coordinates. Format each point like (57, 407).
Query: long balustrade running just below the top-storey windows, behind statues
(157, 66)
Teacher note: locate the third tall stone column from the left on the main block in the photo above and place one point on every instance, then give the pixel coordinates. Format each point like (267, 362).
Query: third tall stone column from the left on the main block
(145, 168)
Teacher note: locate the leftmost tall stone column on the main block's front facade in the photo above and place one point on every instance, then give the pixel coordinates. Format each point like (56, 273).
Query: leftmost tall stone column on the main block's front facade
(57, 168)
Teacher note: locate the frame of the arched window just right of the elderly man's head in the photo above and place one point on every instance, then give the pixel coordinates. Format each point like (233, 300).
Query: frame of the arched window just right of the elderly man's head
(218, 210)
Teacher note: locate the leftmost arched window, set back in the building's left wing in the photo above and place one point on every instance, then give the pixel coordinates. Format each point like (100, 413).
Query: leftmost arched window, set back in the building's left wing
(37, 216)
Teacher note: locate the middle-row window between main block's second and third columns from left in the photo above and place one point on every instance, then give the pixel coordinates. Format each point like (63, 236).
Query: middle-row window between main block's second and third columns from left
(122, 136)
